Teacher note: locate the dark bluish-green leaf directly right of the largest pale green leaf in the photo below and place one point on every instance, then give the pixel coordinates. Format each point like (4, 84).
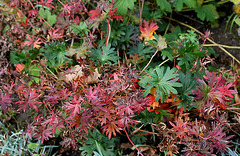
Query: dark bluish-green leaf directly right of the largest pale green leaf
(185, 92)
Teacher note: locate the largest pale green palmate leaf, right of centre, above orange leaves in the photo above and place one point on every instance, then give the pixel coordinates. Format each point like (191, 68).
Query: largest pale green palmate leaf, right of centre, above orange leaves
(164, 79)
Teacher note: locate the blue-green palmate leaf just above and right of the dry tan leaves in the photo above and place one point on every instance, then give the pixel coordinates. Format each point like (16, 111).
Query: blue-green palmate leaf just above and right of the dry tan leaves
(103, 55)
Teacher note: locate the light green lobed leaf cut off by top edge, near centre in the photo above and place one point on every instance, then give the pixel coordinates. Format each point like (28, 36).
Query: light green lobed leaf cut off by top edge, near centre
(123, 6)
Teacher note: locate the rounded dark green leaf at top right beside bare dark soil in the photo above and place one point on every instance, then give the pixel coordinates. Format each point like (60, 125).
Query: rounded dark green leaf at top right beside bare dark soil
(207, 12)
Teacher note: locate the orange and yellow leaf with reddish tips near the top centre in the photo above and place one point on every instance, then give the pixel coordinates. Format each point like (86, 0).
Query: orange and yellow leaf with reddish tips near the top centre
(148, 30)
